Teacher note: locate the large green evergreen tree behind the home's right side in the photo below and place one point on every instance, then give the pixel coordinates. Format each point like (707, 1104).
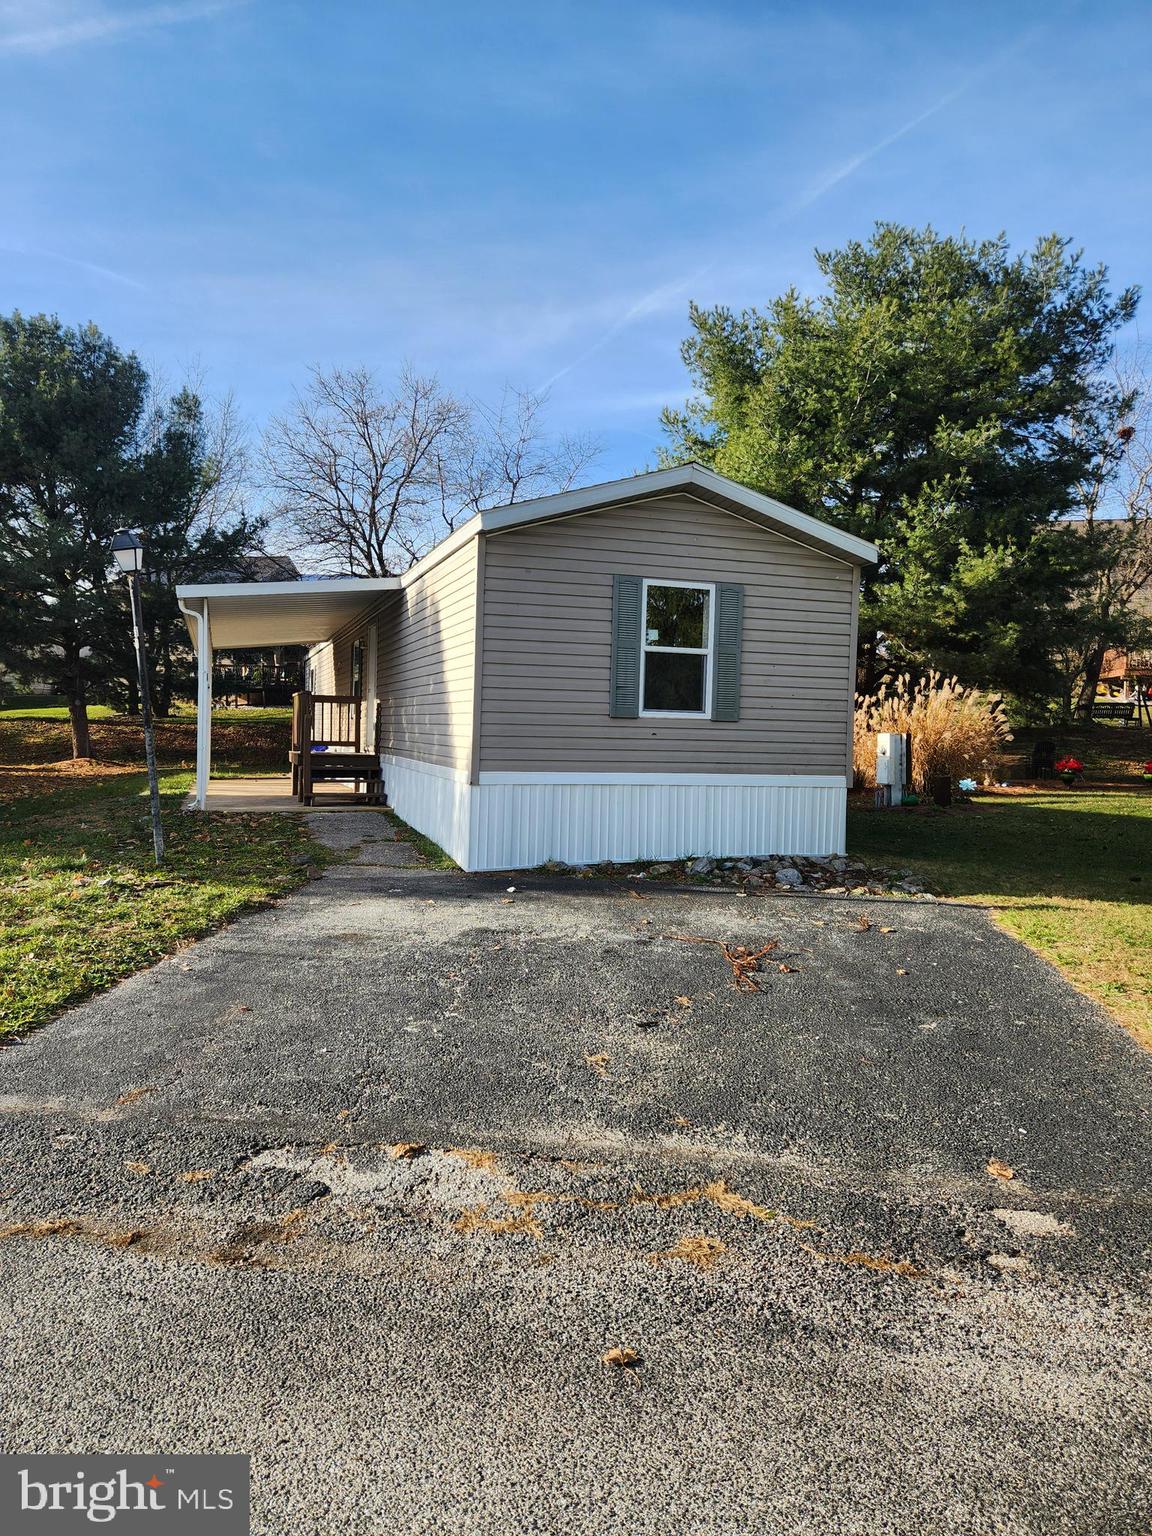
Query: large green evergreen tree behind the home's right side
(942, 399)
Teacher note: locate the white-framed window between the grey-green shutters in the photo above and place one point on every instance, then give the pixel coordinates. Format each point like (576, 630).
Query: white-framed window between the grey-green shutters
(677, 650)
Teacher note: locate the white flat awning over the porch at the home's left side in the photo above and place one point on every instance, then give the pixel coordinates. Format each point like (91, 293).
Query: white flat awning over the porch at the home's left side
(282, 612)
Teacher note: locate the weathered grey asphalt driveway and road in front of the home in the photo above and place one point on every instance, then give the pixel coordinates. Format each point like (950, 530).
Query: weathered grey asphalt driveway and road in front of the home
(778, 1199)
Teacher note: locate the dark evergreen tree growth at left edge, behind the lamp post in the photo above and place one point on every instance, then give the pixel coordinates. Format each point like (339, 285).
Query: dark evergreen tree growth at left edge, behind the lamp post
(84, 454)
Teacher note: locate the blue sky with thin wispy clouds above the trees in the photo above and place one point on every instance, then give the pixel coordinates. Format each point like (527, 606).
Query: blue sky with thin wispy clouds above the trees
(532, 193)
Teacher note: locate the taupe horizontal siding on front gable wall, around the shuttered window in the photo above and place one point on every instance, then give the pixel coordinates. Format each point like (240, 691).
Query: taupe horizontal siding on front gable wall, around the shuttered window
(548, 646)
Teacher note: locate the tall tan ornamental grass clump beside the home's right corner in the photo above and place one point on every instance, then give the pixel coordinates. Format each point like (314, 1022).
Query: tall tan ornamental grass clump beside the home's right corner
(956, 732)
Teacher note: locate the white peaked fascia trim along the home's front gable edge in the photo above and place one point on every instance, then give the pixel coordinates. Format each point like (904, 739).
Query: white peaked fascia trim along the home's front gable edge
(678, 478)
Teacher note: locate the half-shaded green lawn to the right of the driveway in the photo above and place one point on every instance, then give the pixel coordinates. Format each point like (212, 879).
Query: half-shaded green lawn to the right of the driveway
(1070, 872)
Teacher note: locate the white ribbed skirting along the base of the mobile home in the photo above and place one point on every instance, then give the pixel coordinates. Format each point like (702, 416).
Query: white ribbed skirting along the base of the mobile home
(520, 826)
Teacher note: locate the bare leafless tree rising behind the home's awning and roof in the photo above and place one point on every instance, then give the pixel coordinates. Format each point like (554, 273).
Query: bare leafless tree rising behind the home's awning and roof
(369, 480)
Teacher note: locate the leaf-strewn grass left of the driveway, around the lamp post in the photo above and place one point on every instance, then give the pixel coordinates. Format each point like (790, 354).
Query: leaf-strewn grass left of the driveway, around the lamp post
(84, 905)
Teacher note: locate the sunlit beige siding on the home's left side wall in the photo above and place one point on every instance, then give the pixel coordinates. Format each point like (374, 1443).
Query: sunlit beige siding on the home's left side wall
(426, 657)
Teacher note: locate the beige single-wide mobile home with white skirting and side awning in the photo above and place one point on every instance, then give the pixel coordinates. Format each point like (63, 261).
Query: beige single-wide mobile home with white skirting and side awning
(650, 669)
